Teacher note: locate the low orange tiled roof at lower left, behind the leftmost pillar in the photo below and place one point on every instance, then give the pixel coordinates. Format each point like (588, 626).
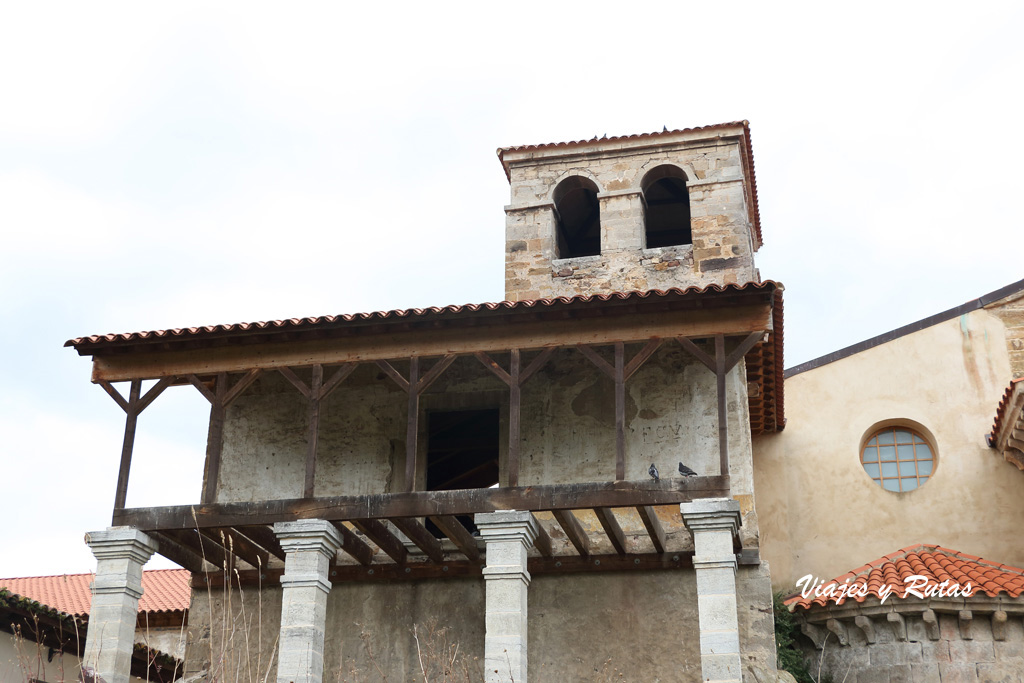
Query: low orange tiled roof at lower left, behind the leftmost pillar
(163, 591)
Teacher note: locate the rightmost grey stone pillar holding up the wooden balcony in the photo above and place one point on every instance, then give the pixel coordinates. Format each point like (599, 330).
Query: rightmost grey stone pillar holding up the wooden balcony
(714, 524)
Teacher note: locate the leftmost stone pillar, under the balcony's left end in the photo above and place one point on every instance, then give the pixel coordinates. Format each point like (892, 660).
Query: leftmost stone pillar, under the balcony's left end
(120, 552)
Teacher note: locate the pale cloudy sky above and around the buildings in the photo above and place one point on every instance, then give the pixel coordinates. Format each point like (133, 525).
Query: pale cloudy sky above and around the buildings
(179, 164)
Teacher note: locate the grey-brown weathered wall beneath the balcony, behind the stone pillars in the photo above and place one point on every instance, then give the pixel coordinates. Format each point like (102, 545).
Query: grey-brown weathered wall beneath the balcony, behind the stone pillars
(582, 627)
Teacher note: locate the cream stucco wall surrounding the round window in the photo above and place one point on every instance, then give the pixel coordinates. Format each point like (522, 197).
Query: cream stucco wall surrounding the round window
(820, 511)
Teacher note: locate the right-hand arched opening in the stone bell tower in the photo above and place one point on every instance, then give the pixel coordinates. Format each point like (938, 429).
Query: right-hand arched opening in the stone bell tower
(667, 208)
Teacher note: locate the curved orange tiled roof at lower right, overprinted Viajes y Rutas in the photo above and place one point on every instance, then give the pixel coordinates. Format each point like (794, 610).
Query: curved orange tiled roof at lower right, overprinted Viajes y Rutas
(936, 564)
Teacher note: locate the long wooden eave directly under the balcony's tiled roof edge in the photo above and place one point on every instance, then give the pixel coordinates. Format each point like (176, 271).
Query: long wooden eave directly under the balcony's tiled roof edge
(735, 316)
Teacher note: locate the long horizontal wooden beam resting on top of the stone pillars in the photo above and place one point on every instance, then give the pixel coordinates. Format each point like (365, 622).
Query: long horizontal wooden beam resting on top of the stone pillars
(423, 504)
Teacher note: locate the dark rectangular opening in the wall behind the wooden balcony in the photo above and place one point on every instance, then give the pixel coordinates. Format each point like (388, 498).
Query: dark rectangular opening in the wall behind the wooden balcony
(462, 453)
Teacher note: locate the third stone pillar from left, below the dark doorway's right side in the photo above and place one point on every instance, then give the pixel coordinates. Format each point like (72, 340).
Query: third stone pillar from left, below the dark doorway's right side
(508, 536)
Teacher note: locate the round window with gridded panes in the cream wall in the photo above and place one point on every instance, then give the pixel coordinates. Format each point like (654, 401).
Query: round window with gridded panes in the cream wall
(899, 459)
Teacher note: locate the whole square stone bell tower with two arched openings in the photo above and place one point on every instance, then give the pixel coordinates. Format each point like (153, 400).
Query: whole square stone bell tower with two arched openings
(632, 214)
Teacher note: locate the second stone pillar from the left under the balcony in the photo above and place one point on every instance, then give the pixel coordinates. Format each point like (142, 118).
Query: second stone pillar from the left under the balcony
(310, 546)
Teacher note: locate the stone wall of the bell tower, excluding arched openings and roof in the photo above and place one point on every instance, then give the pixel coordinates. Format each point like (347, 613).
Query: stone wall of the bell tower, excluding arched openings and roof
(722, 250)
